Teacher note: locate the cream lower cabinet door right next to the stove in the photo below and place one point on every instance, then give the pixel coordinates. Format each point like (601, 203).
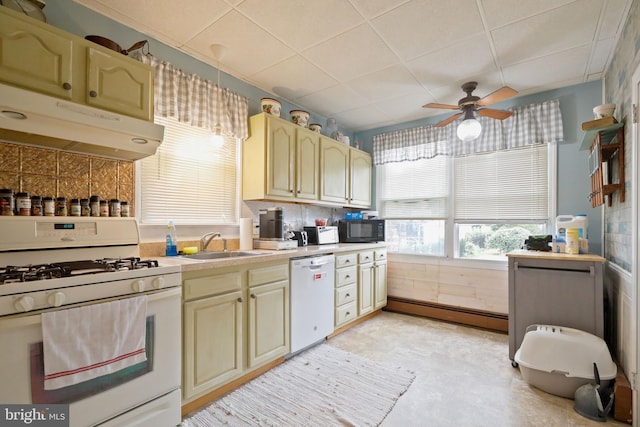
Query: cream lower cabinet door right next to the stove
(212, 342)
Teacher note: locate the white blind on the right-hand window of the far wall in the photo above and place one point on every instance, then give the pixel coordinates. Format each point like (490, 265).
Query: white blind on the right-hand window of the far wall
(505, 185)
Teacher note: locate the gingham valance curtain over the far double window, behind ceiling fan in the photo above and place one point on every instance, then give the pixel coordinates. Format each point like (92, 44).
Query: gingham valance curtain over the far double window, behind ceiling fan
(529, 125)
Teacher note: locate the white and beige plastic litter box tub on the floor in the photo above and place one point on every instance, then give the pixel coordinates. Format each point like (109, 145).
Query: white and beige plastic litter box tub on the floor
(558, 360)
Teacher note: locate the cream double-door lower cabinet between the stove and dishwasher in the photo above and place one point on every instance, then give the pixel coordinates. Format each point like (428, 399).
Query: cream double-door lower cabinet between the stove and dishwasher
(236, 319)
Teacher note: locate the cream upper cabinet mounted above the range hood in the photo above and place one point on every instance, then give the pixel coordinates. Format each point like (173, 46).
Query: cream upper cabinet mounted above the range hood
(39, 57)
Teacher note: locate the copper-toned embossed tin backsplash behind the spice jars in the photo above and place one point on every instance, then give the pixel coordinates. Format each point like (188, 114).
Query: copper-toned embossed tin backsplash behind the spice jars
(55, 173)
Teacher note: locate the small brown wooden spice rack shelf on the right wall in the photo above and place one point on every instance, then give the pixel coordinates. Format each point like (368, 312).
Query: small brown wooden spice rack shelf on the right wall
(605, 144)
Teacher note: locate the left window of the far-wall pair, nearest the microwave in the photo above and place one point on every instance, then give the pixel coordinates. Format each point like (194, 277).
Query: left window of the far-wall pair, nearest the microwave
(414, 198)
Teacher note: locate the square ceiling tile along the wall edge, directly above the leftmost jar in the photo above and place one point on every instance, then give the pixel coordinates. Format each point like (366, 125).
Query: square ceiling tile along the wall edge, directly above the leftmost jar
(293, 78)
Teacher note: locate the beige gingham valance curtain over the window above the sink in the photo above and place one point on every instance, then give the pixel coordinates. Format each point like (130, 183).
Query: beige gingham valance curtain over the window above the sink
(194, 100)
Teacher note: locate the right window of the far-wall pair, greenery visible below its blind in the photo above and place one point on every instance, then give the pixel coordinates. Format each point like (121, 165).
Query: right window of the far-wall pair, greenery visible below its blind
(501, 198)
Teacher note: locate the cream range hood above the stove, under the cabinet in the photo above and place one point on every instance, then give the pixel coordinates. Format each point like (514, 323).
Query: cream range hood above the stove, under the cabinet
(31, 118)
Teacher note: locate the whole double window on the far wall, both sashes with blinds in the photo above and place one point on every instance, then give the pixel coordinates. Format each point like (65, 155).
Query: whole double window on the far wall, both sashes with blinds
(478, 206)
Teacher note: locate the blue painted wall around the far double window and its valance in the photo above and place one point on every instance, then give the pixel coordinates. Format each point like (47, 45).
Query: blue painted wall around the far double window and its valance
(574, 185)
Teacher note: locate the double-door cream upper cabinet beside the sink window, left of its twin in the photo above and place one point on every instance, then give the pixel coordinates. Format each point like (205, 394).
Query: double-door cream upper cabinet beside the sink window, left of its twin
(280, 161)
